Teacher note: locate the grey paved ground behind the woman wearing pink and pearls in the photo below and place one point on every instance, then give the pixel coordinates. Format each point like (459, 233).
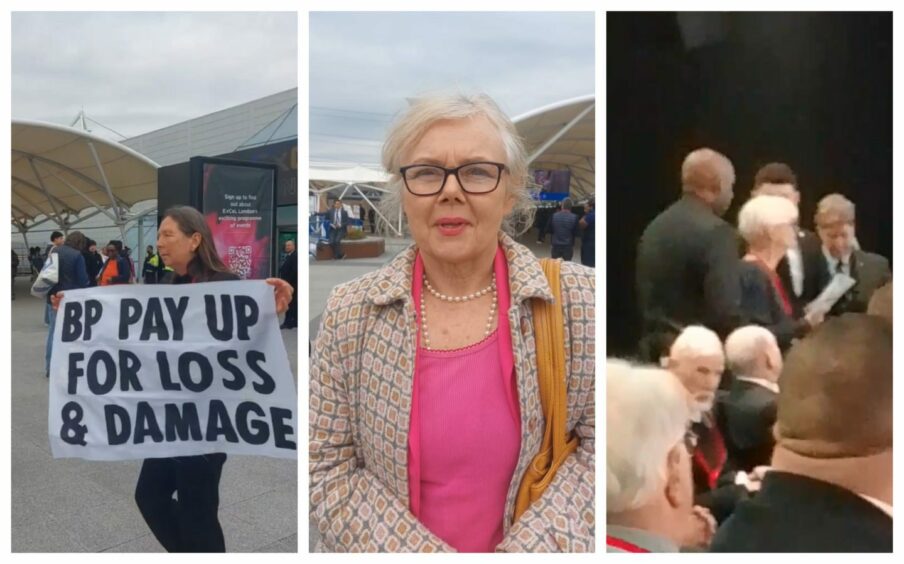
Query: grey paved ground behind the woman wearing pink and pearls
(325, 275)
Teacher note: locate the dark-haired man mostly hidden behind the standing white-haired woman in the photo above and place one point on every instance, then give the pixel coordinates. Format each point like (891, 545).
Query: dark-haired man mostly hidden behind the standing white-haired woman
(797, 270)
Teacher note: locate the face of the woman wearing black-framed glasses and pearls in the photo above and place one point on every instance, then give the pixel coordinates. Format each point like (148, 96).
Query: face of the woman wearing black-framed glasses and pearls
(454, 226)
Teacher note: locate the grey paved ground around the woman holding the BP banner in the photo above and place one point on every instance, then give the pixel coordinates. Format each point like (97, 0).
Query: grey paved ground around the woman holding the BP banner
(71, 505)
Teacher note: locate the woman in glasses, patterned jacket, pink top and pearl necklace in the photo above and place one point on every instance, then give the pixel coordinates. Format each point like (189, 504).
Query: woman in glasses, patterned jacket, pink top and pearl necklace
(425, 408)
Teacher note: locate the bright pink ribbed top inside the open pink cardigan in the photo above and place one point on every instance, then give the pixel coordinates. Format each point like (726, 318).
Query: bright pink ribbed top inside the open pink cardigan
(469, 445)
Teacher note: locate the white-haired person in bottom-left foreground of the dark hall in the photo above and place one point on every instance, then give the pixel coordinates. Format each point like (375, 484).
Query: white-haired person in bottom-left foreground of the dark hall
(649, 489)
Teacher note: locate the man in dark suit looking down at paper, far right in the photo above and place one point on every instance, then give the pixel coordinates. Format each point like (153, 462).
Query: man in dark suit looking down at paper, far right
(836, 228)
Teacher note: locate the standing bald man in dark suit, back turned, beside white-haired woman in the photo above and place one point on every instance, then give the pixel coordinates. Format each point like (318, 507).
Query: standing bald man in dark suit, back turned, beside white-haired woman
(687, 258)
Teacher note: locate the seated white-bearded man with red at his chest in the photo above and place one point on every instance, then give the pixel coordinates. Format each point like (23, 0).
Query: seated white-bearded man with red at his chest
(697, 359)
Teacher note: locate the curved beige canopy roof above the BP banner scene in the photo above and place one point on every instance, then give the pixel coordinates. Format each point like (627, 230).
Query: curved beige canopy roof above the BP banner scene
(58, 172)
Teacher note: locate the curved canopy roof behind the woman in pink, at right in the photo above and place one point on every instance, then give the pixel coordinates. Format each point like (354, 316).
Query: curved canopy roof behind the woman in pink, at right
(563, 136)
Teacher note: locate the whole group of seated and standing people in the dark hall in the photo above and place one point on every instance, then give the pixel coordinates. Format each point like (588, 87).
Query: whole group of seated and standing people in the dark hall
(757, 416)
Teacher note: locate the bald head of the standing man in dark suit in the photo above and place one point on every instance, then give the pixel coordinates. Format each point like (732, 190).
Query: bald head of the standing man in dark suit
(709, 175)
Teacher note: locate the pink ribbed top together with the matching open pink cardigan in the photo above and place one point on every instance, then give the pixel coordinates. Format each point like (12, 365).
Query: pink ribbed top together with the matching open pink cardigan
(465, 431)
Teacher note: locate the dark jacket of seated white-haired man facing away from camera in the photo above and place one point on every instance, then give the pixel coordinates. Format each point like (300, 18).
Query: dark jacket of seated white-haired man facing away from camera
(749, 413)
